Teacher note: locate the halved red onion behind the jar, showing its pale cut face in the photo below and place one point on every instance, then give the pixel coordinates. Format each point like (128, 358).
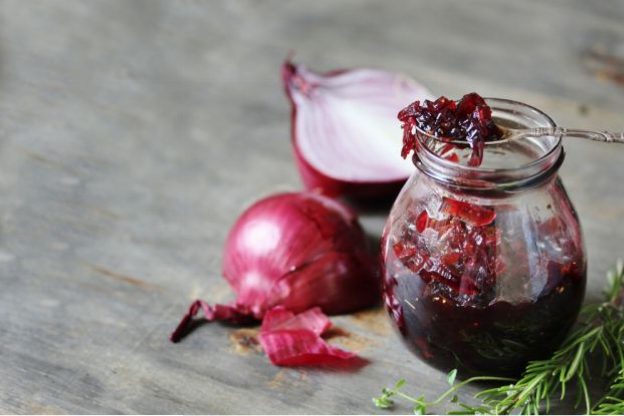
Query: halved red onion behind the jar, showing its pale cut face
(344, 130)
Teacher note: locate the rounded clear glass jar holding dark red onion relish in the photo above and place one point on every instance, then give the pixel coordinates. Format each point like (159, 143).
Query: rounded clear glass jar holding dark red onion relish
(484, 267)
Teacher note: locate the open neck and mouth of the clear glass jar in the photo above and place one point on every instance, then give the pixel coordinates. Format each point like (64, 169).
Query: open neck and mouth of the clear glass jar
(509, 166)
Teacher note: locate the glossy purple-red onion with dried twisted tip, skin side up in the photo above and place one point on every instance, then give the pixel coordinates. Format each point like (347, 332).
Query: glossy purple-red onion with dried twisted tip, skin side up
(297, 250)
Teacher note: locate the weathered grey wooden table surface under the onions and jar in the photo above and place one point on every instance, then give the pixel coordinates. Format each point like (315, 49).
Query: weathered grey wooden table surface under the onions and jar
(132, 135)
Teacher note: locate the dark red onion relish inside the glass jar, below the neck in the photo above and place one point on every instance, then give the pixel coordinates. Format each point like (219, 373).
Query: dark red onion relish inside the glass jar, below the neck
(449, 301)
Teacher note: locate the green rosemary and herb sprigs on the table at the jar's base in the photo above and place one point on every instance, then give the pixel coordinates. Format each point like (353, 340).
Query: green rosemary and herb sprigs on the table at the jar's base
(600, 333)
